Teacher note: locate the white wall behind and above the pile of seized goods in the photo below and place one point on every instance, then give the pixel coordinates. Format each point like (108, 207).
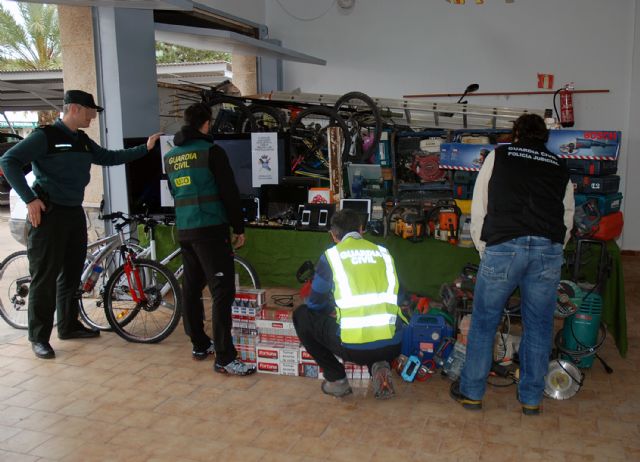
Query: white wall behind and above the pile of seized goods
(391, 48)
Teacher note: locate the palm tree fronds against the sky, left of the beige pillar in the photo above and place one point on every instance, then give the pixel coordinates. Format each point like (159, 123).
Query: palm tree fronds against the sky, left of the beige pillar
(32, 44)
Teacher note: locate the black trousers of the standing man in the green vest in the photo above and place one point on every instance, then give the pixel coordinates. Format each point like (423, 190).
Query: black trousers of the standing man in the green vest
(209, 262)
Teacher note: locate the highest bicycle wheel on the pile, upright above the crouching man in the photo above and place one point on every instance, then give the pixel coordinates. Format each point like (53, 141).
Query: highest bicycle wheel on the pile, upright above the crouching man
(362, 116)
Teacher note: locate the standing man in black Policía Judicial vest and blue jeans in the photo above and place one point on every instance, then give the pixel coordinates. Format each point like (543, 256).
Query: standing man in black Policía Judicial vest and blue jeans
(521, 216)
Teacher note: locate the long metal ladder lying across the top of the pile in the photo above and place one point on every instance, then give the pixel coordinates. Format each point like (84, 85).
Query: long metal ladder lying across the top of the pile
(419, 114)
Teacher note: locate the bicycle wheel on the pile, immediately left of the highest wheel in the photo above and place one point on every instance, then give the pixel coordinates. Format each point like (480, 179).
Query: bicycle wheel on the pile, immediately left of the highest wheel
(310, 143)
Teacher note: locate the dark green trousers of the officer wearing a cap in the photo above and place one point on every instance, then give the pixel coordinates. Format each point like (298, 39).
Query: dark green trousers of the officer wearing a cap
(56, 250)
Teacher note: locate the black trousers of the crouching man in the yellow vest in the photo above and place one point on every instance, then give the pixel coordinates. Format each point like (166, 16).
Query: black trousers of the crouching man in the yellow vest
(318, 332)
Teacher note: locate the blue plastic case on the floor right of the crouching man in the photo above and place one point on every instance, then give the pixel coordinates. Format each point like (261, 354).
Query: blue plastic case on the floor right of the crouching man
(423, 335)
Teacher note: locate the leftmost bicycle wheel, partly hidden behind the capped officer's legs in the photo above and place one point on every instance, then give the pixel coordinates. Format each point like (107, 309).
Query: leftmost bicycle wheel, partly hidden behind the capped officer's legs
(14, 289)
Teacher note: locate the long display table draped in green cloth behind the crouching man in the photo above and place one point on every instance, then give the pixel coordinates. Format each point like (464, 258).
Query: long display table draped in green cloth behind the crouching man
(276, 255)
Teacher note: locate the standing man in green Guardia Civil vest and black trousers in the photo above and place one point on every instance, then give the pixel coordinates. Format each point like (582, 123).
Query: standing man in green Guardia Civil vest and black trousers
(207, 202)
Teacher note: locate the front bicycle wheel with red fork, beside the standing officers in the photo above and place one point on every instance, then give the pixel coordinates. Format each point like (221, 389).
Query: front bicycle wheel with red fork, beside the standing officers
(151, 319)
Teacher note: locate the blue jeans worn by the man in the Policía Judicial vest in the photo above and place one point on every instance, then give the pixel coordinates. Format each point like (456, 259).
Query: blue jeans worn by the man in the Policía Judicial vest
(533, 264)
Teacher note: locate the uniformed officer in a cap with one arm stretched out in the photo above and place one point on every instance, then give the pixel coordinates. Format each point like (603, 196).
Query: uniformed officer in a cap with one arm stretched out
(61, 155)
